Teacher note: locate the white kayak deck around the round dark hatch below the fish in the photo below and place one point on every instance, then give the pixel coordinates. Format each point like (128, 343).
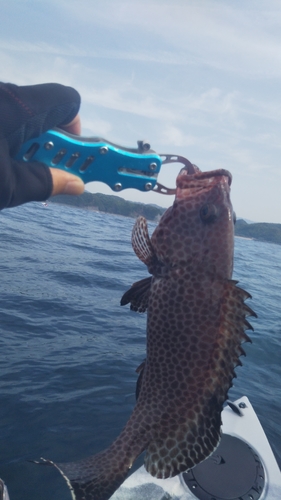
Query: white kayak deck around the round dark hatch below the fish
(142, 486)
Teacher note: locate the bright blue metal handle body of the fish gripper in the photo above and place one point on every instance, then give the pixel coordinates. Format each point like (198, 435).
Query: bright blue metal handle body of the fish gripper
(95, 159)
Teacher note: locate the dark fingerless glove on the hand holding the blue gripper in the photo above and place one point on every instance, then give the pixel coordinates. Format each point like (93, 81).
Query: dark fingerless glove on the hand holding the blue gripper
(25, 113)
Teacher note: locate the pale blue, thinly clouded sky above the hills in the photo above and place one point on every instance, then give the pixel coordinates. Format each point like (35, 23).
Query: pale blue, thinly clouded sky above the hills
(196, 78)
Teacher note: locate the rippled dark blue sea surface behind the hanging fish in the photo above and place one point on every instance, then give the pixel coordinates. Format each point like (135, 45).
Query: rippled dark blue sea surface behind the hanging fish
(68, 351)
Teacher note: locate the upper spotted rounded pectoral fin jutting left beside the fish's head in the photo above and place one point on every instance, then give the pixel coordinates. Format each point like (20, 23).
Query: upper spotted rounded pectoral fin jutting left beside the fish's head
(141, 241)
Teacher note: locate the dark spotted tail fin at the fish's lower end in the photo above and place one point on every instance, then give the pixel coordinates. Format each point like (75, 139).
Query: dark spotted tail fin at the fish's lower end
(96, 477)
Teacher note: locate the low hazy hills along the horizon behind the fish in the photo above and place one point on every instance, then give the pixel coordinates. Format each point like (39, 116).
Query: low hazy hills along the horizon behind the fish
(261, 231)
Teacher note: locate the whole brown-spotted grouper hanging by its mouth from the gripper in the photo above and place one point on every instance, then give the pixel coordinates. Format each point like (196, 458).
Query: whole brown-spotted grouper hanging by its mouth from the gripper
(196, 325)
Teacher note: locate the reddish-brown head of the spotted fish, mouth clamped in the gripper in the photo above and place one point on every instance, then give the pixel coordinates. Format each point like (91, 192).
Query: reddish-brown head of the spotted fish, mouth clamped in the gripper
(198, 230)
